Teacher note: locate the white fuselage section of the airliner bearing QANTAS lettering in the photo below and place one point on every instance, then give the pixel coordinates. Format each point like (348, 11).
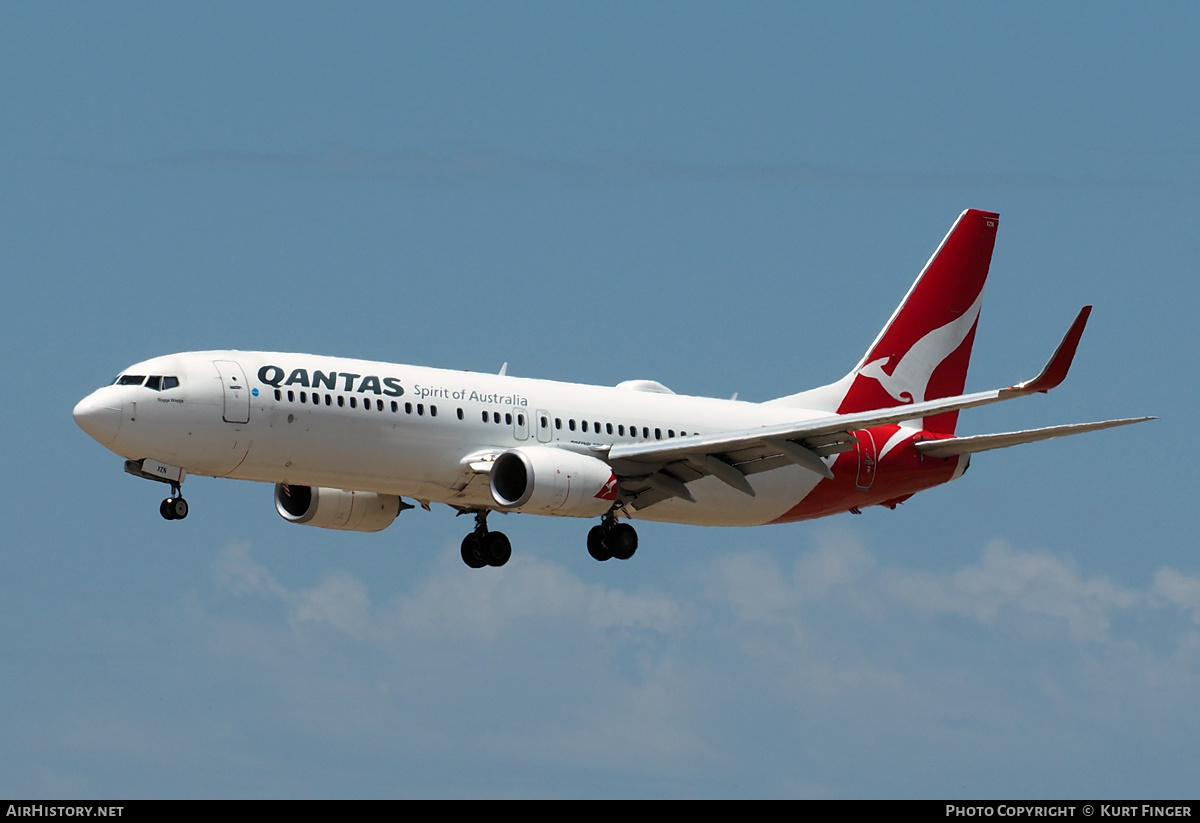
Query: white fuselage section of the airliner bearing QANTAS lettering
(411, 431)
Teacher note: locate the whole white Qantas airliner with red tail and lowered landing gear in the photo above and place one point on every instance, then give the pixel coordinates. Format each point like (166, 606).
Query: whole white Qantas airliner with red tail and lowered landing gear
(345, 442)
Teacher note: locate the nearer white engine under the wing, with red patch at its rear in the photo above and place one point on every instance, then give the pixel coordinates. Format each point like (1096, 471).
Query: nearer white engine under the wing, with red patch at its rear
(544, 480)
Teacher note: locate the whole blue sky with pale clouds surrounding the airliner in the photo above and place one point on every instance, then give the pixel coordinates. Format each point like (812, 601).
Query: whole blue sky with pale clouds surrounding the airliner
(721, 197)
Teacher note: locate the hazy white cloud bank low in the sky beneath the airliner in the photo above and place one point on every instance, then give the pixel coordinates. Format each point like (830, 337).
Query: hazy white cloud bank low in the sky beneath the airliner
(781, 672)
